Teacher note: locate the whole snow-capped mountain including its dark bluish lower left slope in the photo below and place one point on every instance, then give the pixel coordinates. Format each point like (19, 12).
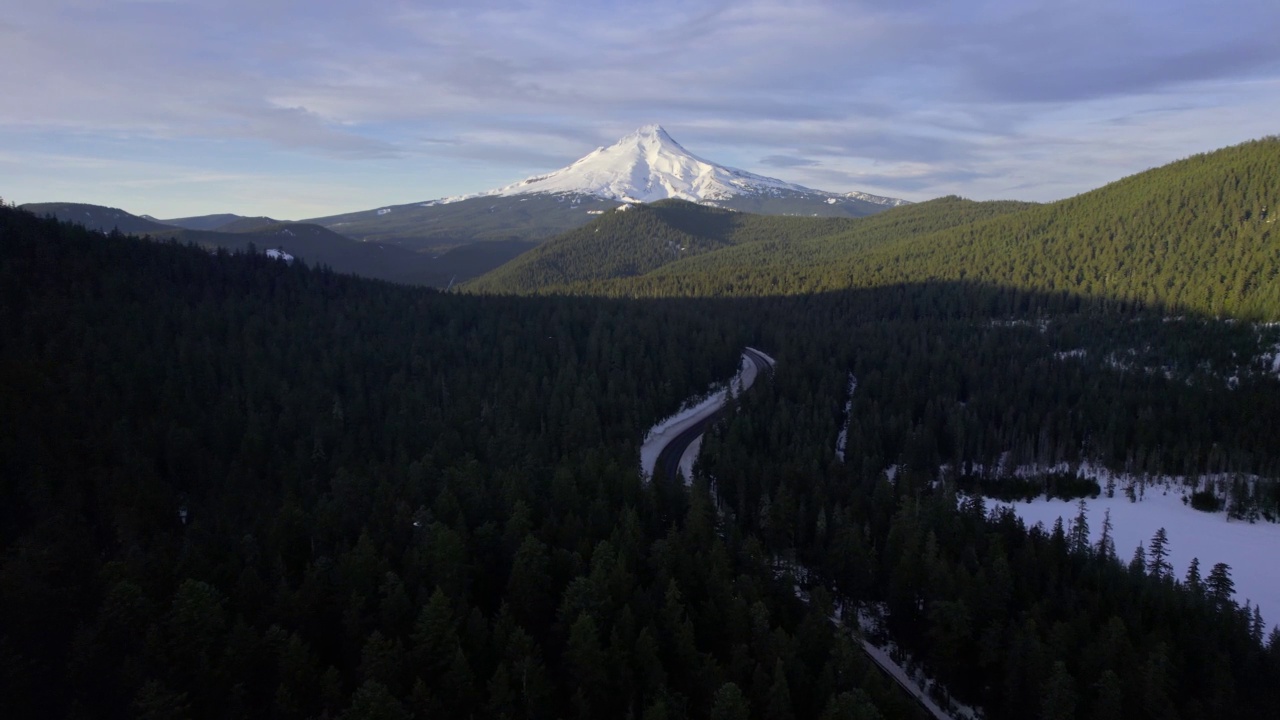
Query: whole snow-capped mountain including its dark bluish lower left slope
(492, 227)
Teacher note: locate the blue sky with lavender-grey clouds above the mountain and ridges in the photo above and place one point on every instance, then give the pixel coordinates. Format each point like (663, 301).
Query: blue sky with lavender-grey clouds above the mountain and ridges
(300, 110)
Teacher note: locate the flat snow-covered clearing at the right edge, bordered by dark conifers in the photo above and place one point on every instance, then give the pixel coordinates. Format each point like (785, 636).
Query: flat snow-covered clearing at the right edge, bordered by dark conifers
(1250, 549)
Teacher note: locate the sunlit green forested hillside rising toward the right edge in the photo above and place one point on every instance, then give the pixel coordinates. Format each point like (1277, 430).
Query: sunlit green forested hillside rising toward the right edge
(1192, 235)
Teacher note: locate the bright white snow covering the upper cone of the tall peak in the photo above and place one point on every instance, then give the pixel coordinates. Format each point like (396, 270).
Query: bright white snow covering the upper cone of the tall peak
(650, 166)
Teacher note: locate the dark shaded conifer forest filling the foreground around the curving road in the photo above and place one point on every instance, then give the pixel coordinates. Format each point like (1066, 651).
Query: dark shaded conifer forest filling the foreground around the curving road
(409, 503)
